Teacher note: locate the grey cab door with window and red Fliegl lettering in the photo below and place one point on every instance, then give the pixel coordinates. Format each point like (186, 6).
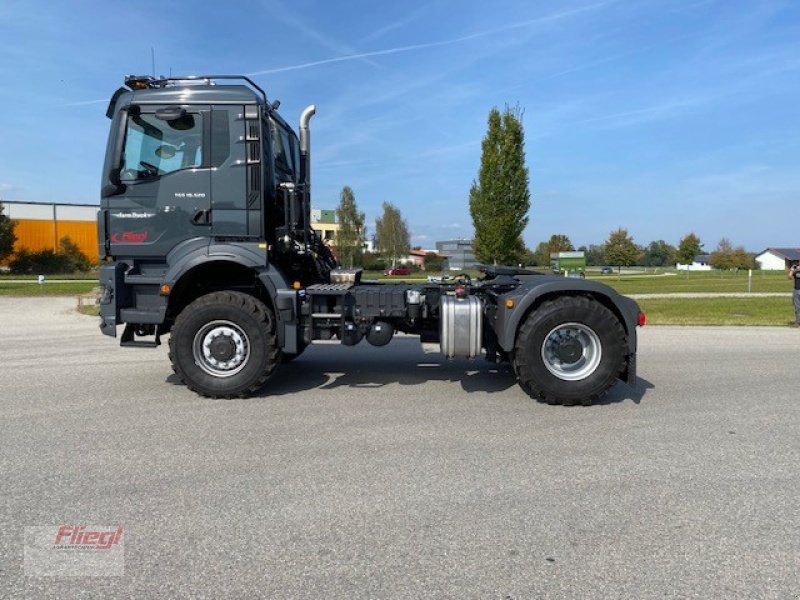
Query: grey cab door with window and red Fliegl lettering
(166, 174)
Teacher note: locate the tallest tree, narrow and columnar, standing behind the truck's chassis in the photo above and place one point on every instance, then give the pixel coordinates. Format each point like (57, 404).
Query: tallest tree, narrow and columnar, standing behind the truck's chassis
(499, 200)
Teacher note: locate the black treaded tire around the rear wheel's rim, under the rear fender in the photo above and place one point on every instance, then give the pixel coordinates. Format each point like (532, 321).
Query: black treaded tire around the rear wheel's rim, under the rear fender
(529, 365)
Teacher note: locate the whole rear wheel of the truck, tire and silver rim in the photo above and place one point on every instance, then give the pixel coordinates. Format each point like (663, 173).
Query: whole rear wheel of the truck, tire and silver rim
(569, 350)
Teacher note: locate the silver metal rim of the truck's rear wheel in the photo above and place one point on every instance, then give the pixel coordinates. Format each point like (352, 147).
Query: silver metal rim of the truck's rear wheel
(580, 366)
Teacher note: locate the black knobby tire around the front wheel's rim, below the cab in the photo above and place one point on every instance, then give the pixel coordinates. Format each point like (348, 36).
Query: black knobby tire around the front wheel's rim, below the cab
(249, 314)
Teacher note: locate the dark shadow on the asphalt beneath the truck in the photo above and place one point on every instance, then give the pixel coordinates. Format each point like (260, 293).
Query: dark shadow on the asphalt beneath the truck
(331, 366)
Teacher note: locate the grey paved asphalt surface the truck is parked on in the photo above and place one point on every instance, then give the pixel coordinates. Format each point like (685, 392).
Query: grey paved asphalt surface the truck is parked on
(364, 473)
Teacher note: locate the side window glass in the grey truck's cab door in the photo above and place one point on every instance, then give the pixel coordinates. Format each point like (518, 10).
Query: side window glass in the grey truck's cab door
(154, 147)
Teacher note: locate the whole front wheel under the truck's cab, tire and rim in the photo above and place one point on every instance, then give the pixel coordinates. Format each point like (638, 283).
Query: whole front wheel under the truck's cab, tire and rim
(223, 345)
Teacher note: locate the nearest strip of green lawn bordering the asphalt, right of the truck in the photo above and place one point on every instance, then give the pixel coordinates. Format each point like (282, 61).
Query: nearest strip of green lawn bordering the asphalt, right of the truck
(718, 311)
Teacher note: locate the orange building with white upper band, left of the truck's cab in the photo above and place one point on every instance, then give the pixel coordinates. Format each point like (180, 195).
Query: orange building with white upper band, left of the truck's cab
(40, 226)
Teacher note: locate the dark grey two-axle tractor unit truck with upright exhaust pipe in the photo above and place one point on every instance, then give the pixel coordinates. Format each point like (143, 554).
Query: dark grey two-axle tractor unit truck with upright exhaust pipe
(205, 232)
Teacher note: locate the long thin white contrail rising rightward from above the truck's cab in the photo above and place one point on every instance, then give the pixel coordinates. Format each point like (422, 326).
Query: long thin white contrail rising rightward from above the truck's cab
(440, 43)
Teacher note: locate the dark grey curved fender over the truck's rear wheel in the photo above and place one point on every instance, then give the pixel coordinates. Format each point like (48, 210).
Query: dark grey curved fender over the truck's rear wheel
(532, 292)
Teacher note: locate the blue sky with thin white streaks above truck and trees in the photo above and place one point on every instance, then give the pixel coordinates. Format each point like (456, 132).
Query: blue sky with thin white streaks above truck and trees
(660, 116)
